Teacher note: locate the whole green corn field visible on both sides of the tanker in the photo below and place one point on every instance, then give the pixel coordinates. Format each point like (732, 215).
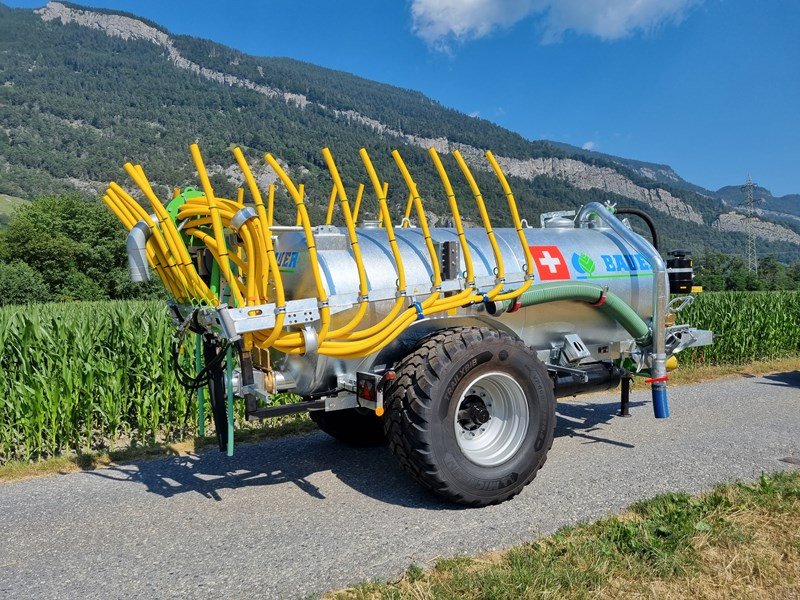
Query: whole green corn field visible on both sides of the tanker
(97, 375)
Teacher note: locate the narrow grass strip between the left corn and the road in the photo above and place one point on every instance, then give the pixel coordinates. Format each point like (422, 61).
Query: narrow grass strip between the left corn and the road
(17, 470)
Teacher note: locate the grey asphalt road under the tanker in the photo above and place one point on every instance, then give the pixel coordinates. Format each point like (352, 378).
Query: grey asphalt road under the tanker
(299, 516)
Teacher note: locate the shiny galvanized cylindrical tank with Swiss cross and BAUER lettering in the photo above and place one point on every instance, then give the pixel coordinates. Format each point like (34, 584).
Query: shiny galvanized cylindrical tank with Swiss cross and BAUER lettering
(596, 255)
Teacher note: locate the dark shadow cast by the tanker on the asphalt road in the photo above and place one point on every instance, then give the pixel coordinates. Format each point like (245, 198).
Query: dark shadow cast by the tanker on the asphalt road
(370, 471)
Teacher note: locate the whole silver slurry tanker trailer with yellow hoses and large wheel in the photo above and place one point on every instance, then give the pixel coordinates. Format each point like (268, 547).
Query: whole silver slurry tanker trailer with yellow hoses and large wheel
(452, 343)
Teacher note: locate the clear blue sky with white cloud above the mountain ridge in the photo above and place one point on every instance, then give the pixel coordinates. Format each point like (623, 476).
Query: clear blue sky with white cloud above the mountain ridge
(710, 87)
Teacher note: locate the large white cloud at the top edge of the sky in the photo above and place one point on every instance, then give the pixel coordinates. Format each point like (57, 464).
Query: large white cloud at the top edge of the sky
(442, 22)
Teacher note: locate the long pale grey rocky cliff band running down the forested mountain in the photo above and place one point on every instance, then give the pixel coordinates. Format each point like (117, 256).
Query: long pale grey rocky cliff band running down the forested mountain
(579, 174)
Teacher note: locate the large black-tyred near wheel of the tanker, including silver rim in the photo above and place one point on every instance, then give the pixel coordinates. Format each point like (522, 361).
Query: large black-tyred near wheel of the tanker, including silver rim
(471, 415)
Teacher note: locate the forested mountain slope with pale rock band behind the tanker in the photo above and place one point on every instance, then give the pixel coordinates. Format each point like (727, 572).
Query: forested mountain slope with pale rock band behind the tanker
(84, 90)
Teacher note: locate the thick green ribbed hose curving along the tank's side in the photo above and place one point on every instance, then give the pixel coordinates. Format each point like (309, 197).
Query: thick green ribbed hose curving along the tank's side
(613, 306)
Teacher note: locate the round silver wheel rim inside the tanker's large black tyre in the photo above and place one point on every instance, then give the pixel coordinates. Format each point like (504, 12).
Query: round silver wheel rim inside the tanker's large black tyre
(500, 437)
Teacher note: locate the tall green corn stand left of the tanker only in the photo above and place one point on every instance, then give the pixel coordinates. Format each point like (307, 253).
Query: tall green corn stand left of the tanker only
(83, 376)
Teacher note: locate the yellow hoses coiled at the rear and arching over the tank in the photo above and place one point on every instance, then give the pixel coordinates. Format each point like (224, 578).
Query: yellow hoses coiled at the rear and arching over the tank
(250, 266)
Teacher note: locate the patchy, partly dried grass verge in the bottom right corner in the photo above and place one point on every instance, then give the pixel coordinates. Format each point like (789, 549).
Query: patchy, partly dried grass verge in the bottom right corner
(737, 541)
